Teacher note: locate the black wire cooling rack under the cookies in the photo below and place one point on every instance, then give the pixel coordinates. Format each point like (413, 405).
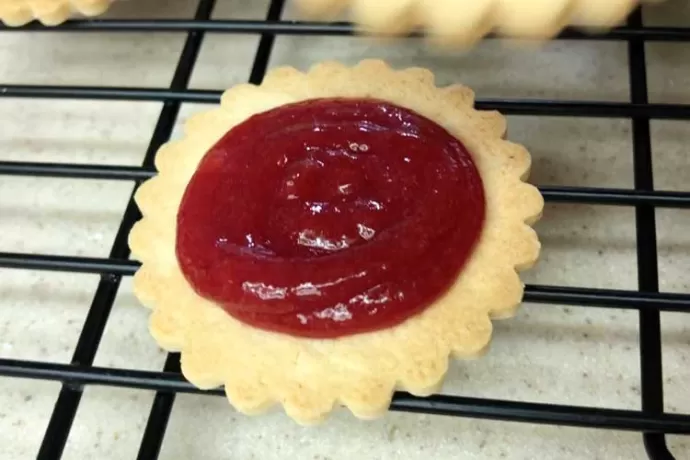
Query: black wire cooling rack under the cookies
(652, 422)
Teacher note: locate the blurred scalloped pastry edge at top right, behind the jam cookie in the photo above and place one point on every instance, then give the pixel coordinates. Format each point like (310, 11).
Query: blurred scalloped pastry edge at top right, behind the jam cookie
(462, 22)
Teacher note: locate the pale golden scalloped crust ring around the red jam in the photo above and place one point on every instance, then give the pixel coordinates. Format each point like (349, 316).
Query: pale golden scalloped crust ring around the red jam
(308, 376)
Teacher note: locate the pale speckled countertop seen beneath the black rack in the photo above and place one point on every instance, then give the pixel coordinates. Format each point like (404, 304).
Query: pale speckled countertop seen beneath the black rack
(546, 354)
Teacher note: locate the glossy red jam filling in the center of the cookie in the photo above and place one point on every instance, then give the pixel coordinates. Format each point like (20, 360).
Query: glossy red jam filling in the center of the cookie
(330, 217)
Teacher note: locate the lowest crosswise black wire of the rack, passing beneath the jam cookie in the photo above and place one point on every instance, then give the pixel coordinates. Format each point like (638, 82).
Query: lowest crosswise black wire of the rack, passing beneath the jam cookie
(170, 382)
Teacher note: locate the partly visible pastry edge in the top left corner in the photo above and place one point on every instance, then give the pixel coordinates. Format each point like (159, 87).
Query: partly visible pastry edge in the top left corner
(16, 13)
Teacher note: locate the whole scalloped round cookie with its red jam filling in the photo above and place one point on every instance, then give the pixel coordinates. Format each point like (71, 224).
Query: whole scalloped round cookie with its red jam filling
(330, 236)
